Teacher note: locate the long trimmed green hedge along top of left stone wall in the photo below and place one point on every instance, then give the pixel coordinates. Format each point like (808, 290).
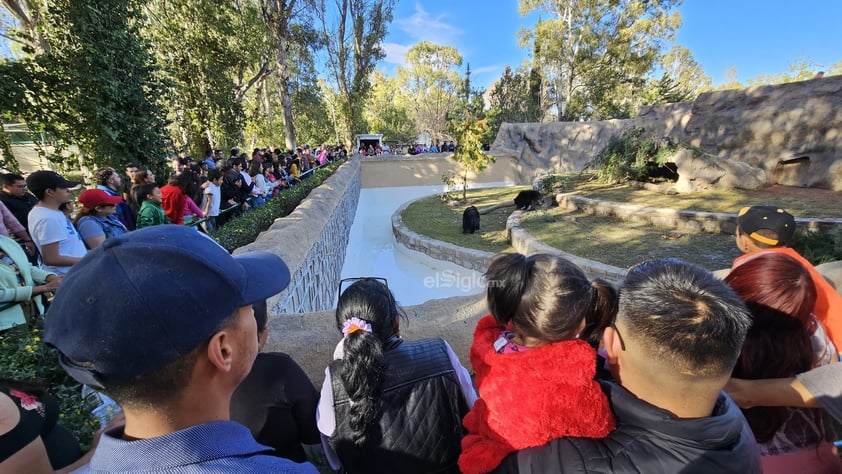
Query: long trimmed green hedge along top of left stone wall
(244, 229)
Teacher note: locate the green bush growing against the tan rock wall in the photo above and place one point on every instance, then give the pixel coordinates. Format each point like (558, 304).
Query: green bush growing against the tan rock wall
(626, 156)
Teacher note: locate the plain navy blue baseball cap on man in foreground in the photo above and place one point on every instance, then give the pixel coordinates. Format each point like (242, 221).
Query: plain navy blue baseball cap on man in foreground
(143, 299)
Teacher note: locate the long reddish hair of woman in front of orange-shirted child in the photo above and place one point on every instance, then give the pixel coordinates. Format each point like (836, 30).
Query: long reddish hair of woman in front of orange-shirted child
(781, 295)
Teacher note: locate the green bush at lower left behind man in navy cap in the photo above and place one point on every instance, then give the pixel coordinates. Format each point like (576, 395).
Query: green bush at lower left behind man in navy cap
(24, 356)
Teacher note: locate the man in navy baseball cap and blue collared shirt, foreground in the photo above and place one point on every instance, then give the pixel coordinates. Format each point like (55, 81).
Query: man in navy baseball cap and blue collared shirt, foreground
(161, 320)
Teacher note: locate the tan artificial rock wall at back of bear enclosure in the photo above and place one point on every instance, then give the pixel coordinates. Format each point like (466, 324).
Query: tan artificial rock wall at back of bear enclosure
(788, 134)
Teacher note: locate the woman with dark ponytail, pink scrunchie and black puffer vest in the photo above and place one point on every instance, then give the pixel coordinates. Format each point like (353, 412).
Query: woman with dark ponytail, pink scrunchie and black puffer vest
(389, 405)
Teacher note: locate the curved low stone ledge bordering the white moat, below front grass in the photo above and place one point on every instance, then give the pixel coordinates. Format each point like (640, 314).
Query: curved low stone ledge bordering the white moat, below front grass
(469, 258)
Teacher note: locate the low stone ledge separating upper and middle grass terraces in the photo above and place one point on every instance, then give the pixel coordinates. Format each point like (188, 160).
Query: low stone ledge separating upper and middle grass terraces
(710, 222)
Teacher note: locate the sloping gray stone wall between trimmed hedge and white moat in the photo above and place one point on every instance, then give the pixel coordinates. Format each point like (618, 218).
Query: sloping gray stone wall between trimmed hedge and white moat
(312, 242)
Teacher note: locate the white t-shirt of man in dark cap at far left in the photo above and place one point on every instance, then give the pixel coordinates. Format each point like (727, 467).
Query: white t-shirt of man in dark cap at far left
(47, 226)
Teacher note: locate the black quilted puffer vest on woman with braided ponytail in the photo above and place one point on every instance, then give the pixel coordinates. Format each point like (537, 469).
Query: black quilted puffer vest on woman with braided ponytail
(419, 425)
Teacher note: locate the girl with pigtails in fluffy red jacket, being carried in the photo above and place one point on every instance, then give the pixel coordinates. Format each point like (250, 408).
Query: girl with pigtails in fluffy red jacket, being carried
(534, 365)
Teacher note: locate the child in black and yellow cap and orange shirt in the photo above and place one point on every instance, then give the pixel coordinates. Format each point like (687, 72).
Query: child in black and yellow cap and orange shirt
(762, 229)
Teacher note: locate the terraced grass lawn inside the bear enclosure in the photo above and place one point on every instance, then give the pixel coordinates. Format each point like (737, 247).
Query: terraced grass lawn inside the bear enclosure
(604, 239)
